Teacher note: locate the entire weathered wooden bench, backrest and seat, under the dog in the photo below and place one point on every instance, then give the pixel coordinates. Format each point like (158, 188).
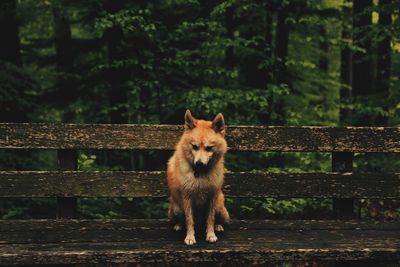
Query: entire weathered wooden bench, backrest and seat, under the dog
(67, 240)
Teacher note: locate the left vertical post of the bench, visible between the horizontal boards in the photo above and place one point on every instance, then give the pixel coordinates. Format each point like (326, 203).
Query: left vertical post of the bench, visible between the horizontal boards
(67, 206)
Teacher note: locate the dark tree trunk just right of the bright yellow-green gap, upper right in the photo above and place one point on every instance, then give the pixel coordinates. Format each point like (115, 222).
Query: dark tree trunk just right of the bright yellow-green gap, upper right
(383, 62)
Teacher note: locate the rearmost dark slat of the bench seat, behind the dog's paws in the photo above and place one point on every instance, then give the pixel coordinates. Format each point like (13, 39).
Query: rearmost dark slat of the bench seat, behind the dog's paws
(146, 224)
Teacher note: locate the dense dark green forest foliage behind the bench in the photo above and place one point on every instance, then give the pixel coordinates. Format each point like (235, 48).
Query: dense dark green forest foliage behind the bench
(166, 56)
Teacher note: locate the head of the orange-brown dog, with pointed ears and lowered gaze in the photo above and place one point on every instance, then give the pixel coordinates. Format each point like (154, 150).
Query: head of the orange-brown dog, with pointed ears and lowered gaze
(204, 142)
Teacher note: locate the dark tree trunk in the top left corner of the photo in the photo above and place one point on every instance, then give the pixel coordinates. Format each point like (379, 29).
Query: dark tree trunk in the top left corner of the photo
(10, 45)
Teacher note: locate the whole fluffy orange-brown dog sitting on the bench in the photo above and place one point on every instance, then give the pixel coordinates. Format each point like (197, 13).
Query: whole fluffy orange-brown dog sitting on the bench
(196, 175)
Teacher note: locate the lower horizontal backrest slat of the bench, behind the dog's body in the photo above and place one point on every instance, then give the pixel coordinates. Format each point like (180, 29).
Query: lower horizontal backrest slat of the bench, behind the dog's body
(238, 184)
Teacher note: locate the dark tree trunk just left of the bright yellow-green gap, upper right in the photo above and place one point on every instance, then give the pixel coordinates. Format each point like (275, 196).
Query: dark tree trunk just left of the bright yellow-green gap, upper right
(362, 63)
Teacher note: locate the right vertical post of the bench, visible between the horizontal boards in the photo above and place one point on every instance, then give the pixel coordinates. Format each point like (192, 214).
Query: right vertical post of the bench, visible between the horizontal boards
(343, 208)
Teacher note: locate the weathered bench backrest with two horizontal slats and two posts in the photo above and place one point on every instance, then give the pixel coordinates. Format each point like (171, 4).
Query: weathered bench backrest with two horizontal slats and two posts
(68, 183)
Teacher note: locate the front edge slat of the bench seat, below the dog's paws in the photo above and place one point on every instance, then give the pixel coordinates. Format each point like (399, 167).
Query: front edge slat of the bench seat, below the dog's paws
(222, 252)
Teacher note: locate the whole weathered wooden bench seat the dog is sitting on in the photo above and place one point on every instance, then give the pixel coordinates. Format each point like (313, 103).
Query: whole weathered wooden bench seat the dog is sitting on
(99, 241)
